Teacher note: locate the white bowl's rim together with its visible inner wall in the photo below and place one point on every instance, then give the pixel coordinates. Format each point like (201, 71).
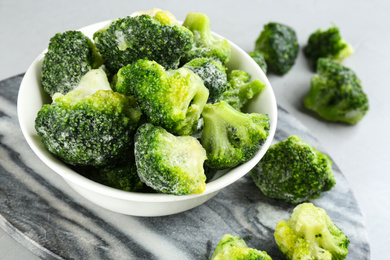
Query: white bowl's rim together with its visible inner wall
(31, 98)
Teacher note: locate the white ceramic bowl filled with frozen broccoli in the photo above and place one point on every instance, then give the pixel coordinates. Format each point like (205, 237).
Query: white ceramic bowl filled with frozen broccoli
(32, 97)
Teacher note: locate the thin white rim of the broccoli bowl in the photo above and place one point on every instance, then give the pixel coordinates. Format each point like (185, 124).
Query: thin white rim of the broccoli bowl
(68, 174)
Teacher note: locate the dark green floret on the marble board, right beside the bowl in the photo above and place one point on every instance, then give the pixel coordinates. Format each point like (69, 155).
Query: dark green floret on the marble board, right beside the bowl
(294, 171)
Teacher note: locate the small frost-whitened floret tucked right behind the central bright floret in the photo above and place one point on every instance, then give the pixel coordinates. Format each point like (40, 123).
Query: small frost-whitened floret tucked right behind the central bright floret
(213, 74)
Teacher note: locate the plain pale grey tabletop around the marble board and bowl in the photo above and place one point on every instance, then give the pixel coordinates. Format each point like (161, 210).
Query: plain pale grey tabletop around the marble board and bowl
(360, 151)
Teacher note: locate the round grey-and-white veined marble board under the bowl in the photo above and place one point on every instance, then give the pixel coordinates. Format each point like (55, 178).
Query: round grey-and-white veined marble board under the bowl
(40, 211)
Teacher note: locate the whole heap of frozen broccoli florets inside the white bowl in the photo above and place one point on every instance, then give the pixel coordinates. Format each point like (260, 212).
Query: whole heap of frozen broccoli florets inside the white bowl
(128, 105)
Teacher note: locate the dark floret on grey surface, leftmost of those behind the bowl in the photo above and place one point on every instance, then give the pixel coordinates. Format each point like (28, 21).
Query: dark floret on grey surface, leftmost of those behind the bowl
(279, 45)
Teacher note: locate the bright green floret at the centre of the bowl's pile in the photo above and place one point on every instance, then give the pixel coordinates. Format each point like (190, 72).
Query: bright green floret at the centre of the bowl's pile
(173, 99)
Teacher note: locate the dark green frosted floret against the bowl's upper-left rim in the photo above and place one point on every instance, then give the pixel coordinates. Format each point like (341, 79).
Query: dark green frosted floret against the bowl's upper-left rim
(69, 57)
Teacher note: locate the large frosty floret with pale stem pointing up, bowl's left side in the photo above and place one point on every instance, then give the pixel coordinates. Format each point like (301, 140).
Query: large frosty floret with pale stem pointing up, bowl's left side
(91, 125)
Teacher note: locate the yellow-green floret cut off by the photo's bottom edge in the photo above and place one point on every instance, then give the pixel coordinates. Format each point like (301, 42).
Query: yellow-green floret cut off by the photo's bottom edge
(235, 248)
